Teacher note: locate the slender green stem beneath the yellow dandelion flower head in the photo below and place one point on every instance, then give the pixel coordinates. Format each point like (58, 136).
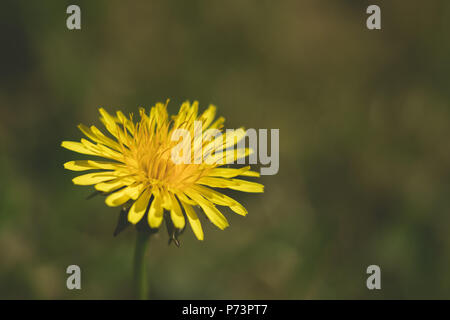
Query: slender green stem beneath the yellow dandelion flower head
(140, 276)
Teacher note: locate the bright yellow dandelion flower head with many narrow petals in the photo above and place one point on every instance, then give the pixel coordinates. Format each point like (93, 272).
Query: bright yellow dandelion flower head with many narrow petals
(140, 173)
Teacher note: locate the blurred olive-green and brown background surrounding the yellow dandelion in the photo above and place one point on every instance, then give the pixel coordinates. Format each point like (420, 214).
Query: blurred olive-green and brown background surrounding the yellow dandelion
(364, 155)
